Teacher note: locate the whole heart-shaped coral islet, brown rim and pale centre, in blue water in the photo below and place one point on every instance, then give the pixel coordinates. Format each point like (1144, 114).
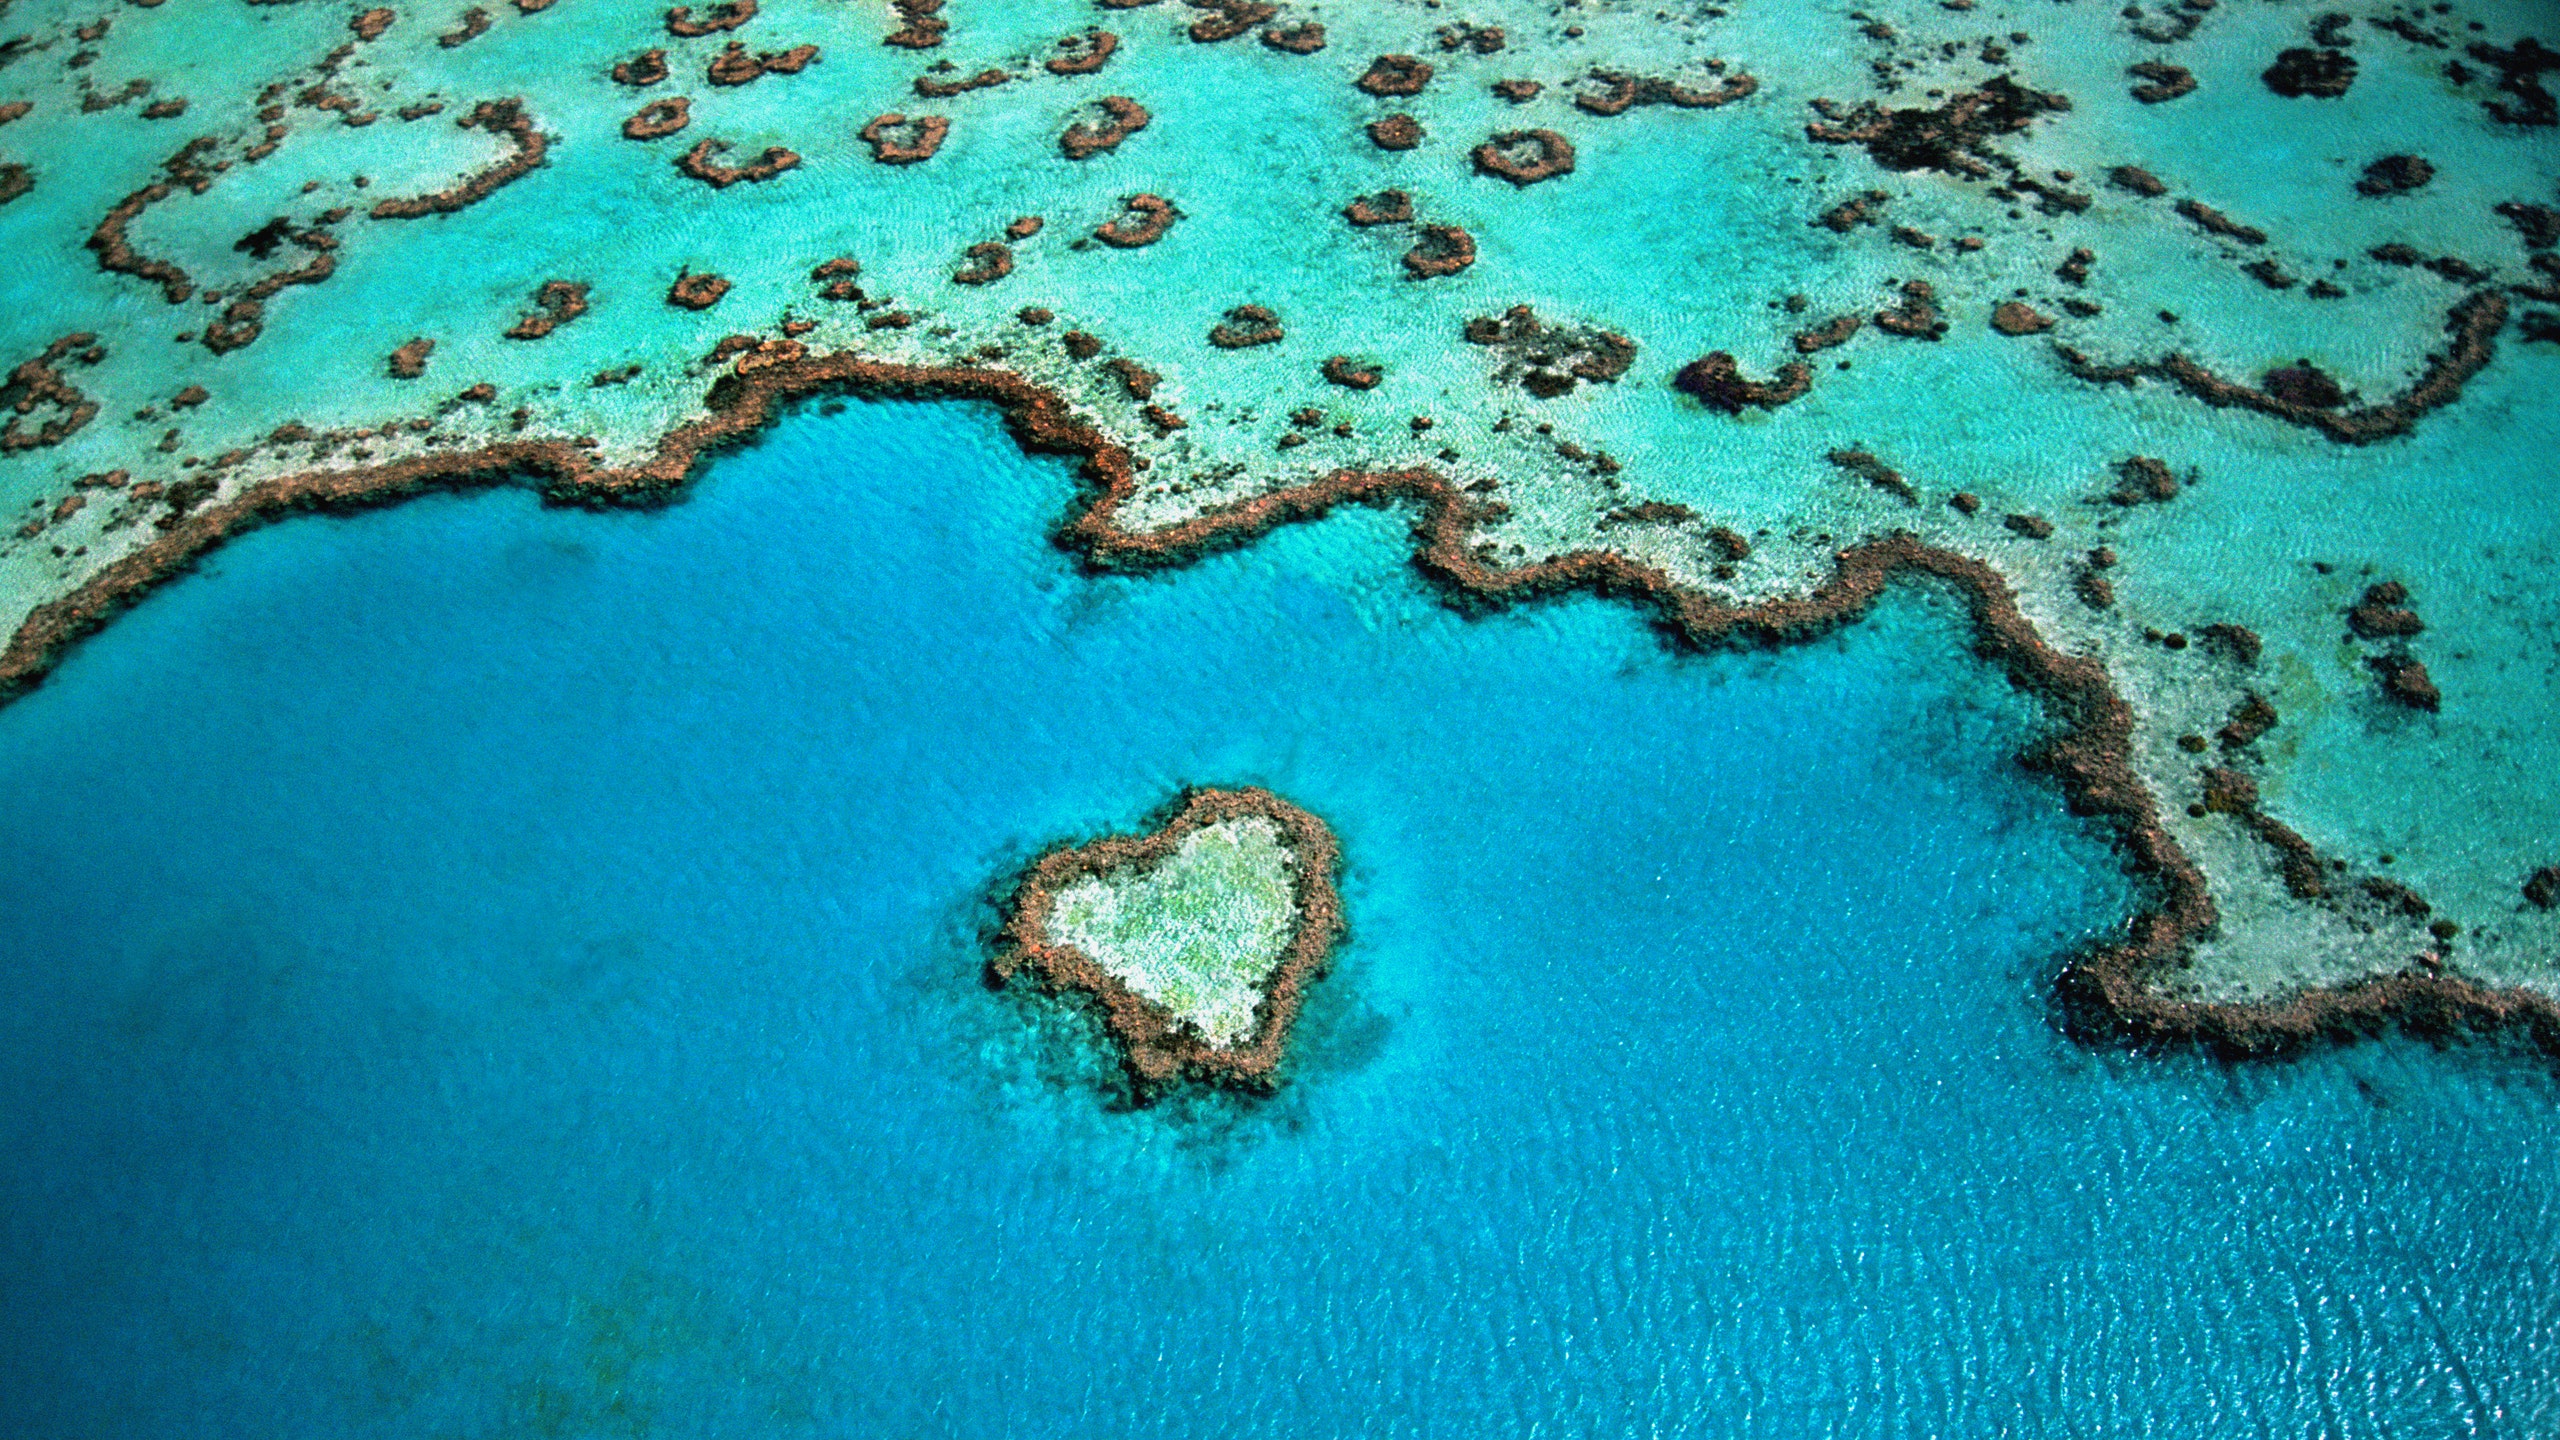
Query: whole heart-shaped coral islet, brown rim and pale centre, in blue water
(1194, 939)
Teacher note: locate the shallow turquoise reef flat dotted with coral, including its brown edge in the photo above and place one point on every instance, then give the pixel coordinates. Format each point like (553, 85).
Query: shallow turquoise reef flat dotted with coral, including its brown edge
(2203, 350)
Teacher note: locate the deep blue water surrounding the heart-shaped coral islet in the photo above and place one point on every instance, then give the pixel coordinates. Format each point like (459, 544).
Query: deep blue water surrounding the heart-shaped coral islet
(500, 972)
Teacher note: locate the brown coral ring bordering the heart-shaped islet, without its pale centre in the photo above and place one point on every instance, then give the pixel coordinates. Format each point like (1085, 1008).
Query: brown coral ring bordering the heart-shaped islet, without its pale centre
(1153, 1044)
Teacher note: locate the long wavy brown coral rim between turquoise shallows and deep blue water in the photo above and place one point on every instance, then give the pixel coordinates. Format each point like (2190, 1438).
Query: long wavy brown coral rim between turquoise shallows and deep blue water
(2106, 995)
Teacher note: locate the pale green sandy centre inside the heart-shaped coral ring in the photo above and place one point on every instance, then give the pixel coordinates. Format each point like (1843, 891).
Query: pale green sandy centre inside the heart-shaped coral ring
(1199, 931)
